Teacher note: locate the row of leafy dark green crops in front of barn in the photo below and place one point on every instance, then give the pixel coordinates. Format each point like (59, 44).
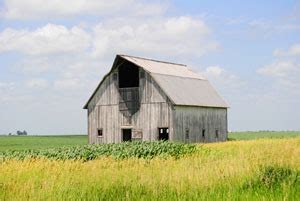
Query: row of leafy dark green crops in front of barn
(147, 150)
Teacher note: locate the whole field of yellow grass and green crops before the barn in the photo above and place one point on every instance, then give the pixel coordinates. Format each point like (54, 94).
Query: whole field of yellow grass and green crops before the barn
(258, 169)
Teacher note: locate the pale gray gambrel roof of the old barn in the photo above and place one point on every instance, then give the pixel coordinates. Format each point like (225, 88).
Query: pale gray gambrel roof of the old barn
(180, 84)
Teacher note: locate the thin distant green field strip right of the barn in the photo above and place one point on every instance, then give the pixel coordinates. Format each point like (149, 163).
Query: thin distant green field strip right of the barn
(252, 135)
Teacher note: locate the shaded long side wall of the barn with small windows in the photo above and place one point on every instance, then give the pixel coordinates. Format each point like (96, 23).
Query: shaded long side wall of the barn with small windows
(194, 119)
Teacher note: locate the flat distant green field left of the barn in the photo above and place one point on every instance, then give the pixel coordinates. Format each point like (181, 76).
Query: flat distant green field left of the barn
(40, 142)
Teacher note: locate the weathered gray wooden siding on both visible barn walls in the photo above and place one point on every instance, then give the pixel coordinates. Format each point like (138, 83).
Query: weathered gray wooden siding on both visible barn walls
(155, 110)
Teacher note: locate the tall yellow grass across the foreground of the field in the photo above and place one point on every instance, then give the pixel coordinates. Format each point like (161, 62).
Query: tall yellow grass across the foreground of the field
(215, 171)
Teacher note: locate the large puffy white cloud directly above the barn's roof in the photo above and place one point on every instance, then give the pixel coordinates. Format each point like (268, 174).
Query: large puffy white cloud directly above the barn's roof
(185, 36)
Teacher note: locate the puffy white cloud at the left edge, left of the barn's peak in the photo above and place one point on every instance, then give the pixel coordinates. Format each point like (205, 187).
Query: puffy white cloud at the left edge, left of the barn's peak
(49, 39)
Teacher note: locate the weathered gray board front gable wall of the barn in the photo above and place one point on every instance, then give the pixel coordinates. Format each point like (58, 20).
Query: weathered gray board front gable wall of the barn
(103, 111)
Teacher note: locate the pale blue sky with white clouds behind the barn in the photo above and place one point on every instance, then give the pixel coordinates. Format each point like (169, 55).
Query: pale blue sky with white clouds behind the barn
(53, 53)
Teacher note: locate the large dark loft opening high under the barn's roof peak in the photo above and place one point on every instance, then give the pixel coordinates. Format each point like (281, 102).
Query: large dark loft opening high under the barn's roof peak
(128, 75)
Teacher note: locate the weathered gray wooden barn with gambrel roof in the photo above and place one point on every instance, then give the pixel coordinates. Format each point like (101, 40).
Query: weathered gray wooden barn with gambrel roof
(147, 100)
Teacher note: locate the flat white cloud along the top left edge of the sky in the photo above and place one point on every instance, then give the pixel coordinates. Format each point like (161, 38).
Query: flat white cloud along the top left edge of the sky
(37, 9)
